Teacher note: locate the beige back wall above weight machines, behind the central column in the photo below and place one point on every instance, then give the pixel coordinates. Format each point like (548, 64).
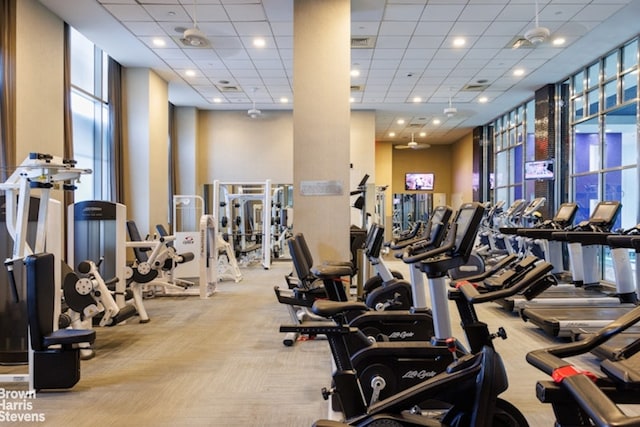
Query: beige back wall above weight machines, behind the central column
(235, 148)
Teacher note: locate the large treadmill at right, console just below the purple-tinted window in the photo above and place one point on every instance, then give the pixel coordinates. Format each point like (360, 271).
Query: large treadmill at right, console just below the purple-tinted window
(561, 320)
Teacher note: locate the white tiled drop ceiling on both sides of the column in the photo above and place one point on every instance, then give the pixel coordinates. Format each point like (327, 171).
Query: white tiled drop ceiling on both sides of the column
(413, 55)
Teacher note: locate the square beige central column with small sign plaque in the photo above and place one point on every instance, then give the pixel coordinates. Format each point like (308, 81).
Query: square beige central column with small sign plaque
(321, 125)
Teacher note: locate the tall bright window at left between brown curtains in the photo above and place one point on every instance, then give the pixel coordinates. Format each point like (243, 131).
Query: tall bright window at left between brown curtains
(89, 114)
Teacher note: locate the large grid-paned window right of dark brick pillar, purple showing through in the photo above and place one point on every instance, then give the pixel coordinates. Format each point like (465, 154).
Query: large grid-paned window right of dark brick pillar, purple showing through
(604, 126)
